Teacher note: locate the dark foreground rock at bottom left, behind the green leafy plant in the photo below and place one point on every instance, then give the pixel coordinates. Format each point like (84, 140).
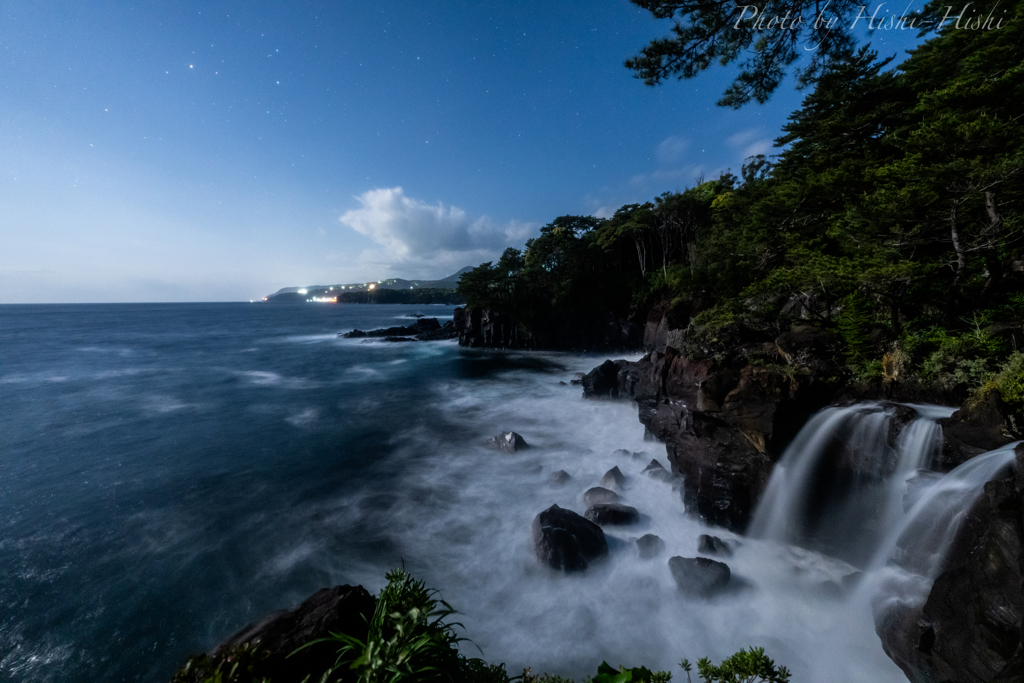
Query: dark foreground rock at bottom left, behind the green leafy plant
(273, 641)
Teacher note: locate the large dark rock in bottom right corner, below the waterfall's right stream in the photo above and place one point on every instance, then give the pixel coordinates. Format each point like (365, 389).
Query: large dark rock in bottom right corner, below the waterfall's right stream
(971, 627)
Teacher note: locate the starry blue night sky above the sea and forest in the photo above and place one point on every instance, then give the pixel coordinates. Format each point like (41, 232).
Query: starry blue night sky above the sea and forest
(220, 152)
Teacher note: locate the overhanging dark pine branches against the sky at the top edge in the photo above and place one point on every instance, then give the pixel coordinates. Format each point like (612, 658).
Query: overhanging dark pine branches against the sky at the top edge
(766, 37)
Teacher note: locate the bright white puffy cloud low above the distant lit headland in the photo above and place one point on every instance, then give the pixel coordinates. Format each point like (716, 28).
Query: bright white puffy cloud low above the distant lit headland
(420, 240)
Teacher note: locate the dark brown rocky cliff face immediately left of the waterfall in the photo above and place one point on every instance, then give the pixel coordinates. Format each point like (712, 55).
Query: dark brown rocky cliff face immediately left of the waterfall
(726, 421)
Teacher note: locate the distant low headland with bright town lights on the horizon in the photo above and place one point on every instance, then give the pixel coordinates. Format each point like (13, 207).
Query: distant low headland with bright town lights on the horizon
(395, 290)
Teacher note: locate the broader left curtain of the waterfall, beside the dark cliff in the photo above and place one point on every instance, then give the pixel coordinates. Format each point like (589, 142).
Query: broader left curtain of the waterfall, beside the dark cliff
(840, 486)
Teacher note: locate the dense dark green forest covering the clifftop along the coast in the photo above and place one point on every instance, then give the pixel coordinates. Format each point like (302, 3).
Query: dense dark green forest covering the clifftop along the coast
(891, 216)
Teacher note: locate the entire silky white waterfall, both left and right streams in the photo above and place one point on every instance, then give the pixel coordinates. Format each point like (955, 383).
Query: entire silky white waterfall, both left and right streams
(848, 488)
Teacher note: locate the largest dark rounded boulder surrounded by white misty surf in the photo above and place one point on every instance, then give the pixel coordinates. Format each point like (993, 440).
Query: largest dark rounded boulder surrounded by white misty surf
(565, 541)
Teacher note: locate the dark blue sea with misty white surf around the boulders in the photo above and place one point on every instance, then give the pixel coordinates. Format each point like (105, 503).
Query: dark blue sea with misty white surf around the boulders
(170, 474)
